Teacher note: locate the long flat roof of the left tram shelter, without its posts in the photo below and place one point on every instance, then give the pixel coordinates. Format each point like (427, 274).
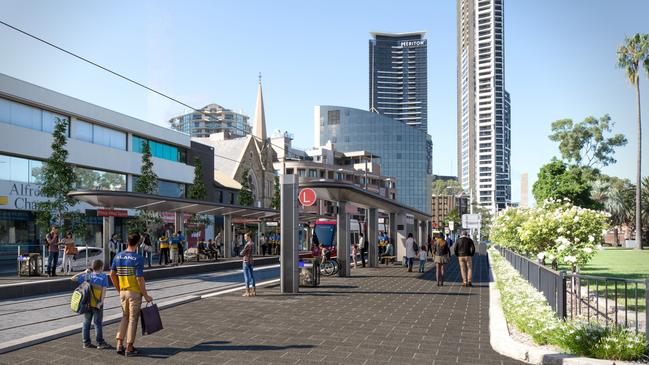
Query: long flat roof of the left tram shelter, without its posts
(158, 203)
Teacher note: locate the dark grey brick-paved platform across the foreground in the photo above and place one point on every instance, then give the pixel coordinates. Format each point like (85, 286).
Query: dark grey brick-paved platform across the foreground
(377, 316)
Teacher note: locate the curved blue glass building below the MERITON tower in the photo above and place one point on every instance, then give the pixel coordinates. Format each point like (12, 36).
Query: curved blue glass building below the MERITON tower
(406, 152)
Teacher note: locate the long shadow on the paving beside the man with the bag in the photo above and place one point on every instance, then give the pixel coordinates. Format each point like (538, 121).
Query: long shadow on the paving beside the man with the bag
(166, 352)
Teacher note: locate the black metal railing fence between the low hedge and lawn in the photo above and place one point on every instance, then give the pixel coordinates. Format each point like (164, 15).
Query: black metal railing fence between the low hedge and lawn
(606, 300)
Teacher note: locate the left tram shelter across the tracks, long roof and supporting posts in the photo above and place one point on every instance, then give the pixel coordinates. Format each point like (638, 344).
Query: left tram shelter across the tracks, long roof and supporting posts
(111, 200)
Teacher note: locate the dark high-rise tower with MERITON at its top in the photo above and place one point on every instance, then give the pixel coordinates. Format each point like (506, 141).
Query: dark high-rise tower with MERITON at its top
(399, 76)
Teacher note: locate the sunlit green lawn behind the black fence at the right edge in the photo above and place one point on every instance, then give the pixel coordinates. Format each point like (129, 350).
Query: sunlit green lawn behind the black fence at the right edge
(621, 263)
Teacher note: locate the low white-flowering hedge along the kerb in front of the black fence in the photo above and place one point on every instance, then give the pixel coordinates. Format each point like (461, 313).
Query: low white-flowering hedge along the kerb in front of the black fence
(527, 310)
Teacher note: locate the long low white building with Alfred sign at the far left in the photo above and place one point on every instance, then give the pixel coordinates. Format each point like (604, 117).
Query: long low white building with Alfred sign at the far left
(104, 147)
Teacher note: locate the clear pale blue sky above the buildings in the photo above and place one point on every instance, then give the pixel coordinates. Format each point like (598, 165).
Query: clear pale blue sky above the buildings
(559, 62)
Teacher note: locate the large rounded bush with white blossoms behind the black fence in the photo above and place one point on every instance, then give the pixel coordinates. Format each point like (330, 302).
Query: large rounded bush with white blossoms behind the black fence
(556, 230)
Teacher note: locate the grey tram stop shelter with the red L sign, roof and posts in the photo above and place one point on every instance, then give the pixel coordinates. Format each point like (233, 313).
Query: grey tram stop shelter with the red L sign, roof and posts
(402, 220)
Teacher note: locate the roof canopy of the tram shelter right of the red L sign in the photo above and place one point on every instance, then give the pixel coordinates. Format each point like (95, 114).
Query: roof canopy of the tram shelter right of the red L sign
(341, 191)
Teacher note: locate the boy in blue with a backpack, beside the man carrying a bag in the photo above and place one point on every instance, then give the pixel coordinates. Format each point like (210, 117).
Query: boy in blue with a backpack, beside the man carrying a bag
(94, 315)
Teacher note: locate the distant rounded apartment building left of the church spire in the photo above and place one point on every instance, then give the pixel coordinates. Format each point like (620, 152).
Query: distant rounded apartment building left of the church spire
(212, 118)
